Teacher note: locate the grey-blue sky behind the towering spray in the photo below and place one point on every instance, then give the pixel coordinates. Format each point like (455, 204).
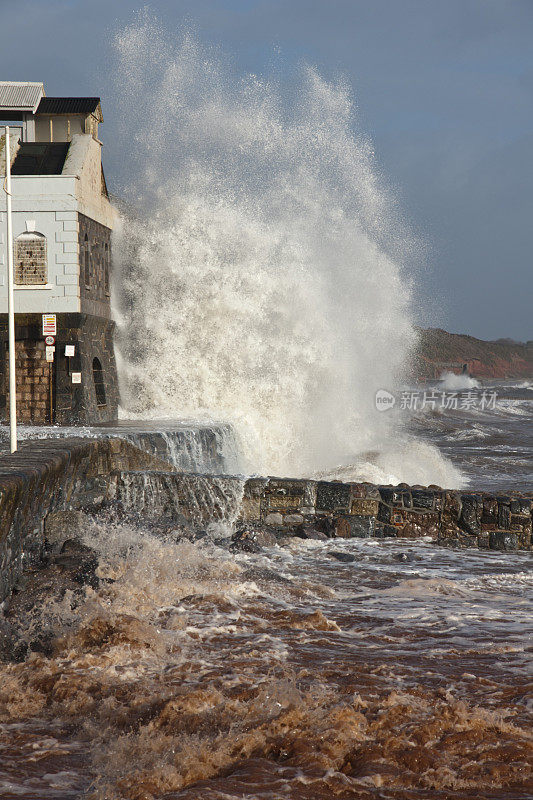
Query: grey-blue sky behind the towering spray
(443, 89)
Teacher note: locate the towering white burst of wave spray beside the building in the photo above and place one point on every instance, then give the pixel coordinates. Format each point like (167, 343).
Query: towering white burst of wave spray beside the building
(264, 279)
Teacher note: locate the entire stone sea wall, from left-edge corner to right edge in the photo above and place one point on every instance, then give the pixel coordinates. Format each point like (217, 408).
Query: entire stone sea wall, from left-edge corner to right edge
(46, 481)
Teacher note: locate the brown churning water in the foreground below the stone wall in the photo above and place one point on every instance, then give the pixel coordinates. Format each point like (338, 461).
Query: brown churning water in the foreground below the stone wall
(191, 672)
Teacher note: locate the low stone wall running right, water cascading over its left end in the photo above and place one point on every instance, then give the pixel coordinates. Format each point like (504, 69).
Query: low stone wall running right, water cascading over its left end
(346, 510)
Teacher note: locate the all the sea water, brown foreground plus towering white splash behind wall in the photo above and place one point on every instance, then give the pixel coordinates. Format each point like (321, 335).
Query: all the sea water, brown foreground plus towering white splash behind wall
(271, 278)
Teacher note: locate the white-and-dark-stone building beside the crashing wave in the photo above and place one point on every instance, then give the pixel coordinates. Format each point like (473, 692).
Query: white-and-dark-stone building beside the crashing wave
(62, 223)
